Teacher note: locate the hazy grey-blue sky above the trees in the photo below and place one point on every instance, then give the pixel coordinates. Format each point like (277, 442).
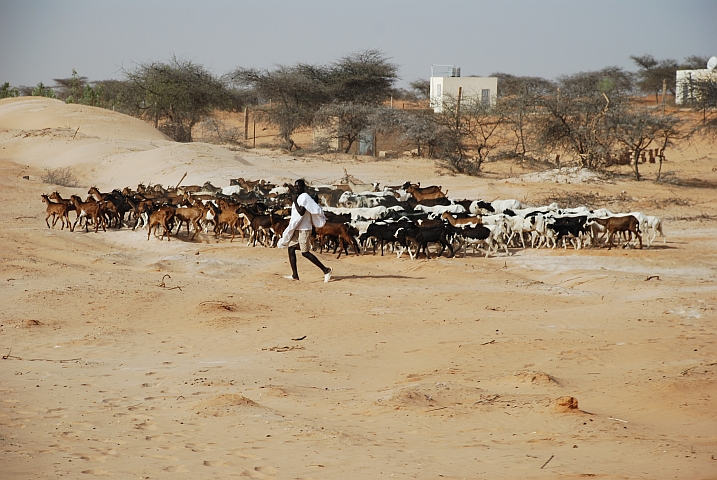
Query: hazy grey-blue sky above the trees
(43, 40)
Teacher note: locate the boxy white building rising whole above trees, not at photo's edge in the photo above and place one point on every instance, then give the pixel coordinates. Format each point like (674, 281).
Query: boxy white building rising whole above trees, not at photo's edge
(473, 89)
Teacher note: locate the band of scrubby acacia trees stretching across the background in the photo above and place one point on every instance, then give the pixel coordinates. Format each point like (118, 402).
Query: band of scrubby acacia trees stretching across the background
(590, 117)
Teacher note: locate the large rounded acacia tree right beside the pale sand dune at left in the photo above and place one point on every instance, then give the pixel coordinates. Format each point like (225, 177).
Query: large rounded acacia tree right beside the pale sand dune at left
(175, 95)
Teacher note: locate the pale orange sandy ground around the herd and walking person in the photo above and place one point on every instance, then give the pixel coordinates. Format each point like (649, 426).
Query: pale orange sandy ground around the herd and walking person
(152, 359)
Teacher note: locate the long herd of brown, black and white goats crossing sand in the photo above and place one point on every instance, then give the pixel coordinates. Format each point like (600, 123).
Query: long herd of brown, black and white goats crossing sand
(402, 218)
